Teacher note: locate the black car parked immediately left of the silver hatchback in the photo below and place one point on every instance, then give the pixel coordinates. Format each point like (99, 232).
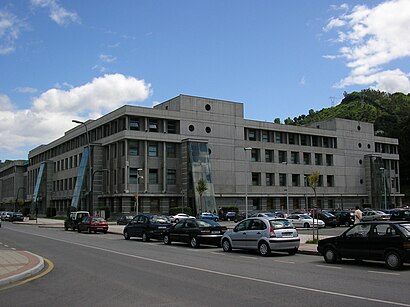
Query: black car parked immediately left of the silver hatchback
(195, 232)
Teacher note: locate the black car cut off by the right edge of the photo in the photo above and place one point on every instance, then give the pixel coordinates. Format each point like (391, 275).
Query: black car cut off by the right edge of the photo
(383, 241)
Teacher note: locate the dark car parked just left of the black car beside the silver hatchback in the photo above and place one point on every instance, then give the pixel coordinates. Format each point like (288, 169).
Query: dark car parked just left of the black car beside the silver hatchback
(147, 226)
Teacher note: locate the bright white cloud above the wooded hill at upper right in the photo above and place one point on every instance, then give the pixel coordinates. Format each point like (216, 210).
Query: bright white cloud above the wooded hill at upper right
(371, 38)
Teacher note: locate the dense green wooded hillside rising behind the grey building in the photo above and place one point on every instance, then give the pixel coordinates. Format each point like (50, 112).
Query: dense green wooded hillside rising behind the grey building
(390, 114)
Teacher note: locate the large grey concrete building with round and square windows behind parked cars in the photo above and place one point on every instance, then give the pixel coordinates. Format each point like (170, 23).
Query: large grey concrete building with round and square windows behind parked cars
(158, 155)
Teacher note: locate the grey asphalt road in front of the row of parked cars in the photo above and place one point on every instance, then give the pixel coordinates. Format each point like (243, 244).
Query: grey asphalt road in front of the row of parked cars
(106, 270)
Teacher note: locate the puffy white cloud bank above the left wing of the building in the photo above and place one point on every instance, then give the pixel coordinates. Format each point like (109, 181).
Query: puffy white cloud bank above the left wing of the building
(51, 113)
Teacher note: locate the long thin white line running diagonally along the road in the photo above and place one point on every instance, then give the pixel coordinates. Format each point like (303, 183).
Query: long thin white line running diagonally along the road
(269, 282)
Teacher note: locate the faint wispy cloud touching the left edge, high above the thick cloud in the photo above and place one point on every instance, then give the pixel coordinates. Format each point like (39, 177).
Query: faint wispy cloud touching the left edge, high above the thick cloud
(10, 27)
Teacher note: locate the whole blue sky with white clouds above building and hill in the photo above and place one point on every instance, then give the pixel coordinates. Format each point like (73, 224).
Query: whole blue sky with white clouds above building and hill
(64, 60)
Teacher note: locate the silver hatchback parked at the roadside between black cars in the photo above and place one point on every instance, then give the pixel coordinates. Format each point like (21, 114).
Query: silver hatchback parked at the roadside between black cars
(263, 234)
